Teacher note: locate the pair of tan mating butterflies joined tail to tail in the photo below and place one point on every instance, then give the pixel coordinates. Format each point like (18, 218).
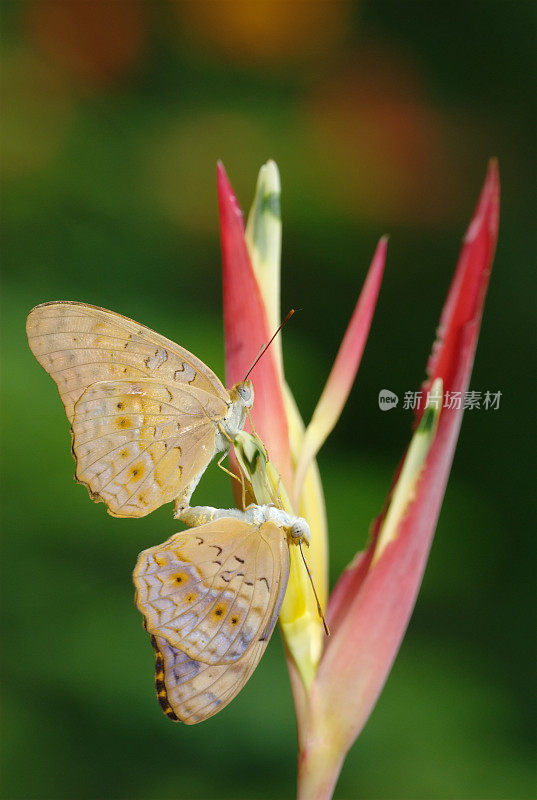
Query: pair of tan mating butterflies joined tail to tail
(147, 417)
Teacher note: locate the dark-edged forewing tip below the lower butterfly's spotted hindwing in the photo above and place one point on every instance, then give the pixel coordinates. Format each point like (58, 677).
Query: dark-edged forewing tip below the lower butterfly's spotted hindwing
(191, 691)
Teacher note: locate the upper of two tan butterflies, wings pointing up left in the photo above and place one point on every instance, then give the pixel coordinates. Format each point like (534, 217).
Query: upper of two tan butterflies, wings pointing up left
(147, 417)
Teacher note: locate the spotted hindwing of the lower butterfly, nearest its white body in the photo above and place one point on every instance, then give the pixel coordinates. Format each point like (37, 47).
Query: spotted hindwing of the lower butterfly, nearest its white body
(214, 592)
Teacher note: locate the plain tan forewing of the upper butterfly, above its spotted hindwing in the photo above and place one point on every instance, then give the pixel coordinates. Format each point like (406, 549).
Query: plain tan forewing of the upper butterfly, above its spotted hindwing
(79, 344)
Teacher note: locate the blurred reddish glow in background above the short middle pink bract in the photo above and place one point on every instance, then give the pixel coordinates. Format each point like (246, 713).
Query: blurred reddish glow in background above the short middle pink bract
(389, 148)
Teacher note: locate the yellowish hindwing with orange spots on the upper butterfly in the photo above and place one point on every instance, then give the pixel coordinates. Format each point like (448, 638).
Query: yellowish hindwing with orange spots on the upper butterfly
(139, 444)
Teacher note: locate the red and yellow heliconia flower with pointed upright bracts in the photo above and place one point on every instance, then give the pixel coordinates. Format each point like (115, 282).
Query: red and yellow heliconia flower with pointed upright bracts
(336, 681)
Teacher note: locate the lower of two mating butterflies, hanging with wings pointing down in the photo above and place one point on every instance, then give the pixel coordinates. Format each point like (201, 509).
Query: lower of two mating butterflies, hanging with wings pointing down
(210, 597)
